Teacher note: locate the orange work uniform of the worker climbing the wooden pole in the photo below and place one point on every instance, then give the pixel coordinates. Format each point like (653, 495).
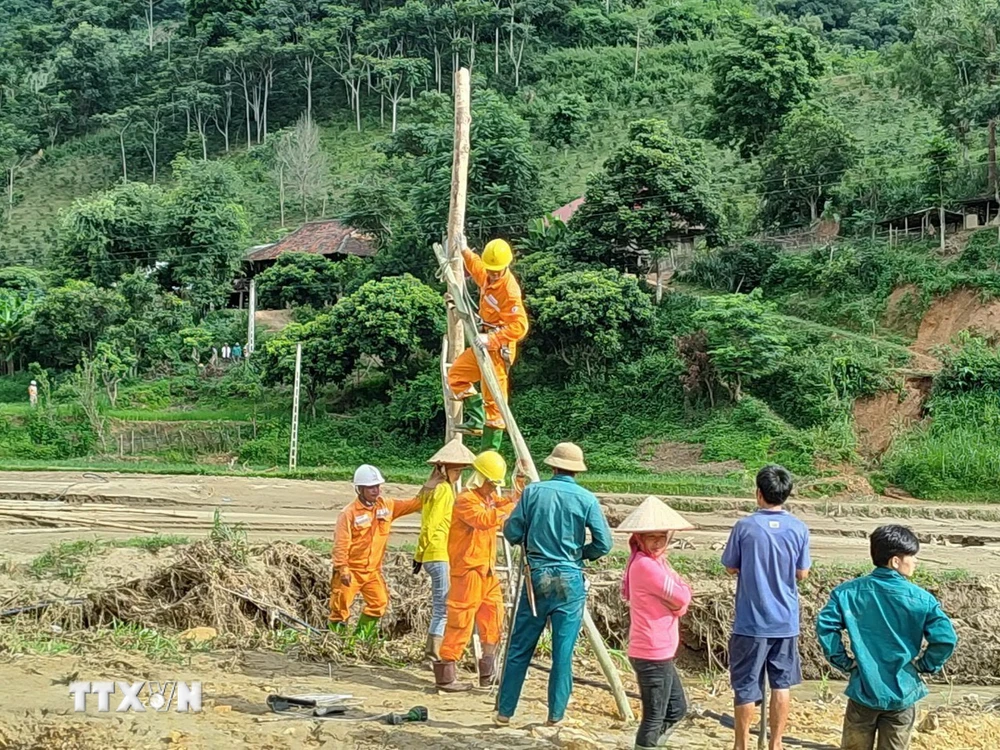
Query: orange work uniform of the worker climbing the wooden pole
(505, 321)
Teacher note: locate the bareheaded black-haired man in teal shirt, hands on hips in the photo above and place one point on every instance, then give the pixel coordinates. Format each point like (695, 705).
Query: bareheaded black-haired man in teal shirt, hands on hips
(887, 619)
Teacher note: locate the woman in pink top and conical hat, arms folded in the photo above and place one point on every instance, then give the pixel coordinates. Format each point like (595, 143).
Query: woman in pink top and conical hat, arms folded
(658, 597)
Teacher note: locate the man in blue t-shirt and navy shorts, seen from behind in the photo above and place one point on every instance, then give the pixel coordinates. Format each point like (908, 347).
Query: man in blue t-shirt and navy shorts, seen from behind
(769, 552)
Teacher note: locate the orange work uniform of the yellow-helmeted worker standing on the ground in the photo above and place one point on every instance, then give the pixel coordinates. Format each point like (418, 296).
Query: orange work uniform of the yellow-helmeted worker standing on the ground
(475, 596)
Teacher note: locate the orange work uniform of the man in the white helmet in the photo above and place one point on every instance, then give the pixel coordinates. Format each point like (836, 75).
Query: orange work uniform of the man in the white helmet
(358, 547)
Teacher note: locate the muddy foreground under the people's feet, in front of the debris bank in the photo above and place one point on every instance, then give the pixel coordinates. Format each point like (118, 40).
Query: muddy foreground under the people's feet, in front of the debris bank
(37, 710)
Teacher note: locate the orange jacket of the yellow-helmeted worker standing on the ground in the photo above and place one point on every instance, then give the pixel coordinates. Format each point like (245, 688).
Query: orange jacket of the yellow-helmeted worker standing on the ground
(475, 521)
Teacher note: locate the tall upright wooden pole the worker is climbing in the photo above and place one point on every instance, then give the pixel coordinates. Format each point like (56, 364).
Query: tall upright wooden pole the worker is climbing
(456, 232)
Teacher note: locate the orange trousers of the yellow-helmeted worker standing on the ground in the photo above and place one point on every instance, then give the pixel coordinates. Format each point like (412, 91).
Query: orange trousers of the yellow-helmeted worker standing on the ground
(474, 599)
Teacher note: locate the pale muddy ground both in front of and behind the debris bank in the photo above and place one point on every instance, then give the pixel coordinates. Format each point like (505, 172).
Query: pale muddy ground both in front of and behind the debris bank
(36, 710)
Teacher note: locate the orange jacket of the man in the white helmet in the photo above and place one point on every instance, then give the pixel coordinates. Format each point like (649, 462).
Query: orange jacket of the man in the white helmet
(363, 533)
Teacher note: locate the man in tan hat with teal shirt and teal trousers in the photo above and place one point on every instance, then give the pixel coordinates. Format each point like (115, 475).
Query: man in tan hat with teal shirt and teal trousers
(551, 521)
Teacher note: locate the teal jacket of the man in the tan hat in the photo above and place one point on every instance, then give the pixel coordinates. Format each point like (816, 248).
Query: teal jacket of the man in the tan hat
(552, 520)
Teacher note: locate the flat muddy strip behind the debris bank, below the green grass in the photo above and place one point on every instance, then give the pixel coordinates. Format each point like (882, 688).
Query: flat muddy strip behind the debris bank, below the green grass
(45, 508)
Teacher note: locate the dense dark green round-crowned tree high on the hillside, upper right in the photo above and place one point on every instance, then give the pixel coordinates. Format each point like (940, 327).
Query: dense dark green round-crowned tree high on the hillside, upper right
(759, 77)
